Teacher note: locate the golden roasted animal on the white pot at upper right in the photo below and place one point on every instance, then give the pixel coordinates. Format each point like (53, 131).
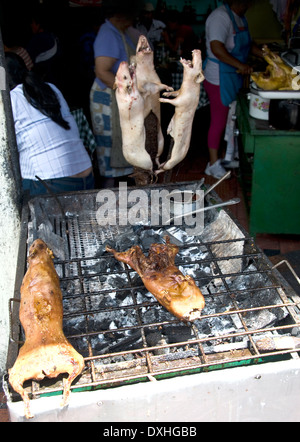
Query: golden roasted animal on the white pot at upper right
(278, 75)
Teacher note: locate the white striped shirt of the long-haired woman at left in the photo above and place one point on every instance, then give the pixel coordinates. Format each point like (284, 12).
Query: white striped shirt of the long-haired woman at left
(45, 148)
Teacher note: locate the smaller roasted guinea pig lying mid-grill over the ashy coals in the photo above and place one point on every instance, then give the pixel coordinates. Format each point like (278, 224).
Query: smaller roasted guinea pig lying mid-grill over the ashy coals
(176, 292)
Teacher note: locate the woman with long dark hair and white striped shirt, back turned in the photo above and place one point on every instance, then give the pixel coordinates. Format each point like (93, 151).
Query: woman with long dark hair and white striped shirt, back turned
(49, 145)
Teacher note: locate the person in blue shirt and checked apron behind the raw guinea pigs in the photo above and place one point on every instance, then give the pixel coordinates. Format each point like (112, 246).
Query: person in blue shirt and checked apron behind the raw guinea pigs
(115, 42)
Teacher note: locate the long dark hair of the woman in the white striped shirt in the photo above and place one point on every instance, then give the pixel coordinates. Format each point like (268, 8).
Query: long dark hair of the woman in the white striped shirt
(38, 93)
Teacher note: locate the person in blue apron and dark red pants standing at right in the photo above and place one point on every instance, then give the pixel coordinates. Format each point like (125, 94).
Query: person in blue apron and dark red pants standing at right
(228, 44)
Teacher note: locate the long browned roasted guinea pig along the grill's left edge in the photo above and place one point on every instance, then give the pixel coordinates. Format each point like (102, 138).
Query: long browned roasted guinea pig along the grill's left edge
(46, 351)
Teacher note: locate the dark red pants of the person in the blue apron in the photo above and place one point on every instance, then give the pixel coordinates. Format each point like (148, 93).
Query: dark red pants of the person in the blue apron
(218, 115)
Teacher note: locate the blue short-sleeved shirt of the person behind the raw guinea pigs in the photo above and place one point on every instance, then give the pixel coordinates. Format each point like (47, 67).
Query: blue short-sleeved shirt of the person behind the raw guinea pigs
(109, 43)
